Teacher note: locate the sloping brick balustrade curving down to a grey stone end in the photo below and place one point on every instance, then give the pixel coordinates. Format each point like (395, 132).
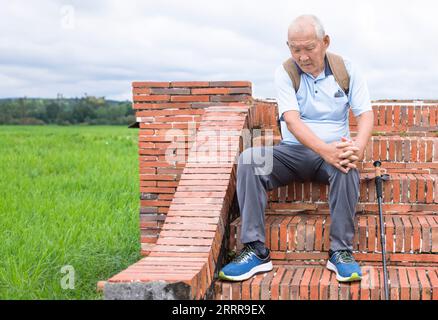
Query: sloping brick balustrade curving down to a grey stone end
(182, 264)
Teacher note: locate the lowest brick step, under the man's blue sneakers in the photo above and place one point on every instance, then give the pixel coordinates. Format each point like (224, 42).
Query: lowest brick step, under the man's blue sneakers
(319, 283)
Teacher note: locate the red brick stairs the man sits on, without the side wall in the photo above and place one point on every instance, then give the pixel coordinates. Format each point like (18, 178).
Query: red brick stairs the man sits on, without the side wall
(298, 223)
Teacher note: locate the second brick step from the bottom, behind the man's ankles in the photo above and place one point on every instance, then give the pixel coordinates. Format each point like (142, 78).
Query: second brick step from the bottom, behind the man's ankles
(303, 236)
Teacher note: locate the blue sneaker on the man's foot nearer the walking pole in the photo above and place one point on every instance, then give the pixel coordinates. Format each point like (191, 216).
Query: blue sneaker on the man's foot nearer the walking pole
(346, 268)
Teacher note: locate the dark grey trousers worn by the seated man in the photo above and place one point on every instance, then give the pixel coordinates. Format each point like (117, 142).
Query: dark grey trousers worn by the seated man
(261, 169)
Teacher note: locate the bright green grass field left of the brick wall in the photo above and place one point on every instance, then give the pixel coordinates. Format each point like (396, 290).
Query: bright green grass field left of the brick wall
(68, 196)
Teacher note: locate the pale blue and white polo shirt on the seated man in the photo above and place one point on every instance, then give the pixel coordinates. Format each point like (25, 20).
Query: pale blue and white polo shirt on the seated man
(322, 104)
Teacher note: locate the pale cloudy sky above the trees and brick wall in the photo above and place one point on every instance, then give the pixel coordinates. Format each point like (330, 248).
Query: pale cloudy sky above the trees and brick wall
(99, 47)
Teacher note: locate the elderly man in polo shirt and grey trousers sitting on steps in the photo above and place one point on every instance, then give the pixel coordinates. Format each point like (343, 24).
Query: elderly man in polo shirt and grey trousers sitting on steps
(316, 146)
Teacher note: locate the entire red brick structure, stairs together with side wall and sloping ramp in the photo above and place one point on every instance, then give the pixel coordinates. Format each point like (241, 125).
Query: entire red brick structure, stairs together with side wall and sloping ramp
(189, 214)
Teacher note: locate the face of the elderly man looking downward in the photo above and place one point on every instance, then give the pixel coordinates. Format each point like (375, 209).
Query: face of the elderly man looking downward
(308, 51)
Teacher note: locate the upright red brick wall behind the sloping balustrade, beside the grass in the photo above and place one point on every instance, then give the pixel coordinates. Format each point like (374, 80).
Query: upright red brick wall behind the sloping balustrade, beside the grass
(169, 113)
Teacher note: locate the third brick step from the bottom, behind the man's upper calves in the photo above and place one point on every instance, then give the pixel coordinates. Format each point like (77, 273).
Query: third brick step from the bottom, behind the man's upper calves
(403, 188)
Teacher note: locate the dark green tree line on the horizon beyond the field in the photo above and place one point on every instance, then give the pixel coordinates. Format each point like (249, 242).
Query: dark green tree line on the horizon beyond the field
(66, 111)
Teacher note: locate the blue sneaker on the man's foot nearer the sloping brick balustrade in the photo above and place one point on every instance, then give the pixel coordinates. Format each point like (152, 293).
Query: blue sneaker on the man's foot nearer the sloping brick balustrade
(247, 264)
